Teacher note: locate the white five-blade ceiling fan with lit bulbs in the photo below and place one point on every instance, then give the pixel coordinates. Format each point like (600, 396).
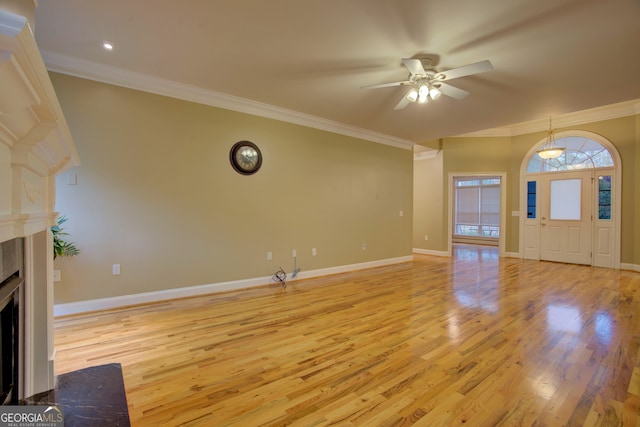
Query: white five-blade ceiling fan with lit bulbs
(428, 83)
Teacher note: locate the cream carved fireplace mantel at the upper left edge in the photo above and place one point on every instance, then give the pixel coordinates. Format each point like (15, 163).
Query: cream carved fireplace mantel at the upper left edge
(35, 142)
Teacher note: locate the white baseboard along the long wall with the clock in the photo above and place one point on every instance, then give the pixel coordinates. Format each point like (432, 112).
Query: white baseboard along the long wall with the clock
(190, 291)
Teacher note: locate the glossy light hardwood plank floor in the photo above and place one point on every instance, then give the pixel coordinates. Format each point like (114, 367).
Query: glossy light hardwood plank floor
(472, 340)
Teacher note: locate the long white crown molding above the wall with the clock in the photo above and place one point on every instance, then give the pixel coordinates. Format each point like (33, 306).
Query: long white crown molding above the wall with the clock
(138, 81)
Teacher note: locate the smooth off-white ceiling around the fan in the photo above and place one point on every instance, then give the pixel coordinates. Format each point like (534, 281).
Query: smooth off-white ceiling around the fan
(307, 59)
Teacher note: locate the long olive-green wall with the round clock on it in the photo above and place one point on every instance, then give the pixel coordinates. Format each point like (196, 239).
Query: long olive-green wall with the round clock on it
(156, 194)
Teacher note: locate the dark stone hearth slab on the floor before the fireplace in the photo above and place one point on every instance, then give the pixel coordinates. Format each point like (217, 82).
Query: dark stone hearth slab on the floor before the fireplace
(91, 397)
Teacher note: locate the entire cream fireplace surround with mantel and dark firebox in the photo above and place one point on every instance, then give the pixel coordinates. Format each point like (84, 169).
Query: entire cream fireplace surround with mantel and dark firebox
(35, 146)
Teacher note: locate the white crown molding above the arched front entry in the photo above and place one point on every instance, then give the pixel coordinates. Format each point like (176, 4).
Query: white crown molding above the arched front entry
(607, 112)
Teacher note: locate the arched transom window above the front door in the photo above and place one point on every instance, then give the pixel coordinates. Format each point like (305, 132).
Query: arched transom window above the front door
(581, 153)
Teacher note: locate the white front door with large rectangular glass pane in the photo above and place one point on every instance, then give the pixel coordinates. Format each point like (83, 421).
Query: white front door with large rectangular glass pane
(566, 217)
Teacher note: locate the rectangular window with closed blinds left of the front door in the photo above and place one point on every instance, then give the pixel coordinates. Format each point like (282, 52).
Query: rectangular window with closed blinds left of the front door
(477, 207)
